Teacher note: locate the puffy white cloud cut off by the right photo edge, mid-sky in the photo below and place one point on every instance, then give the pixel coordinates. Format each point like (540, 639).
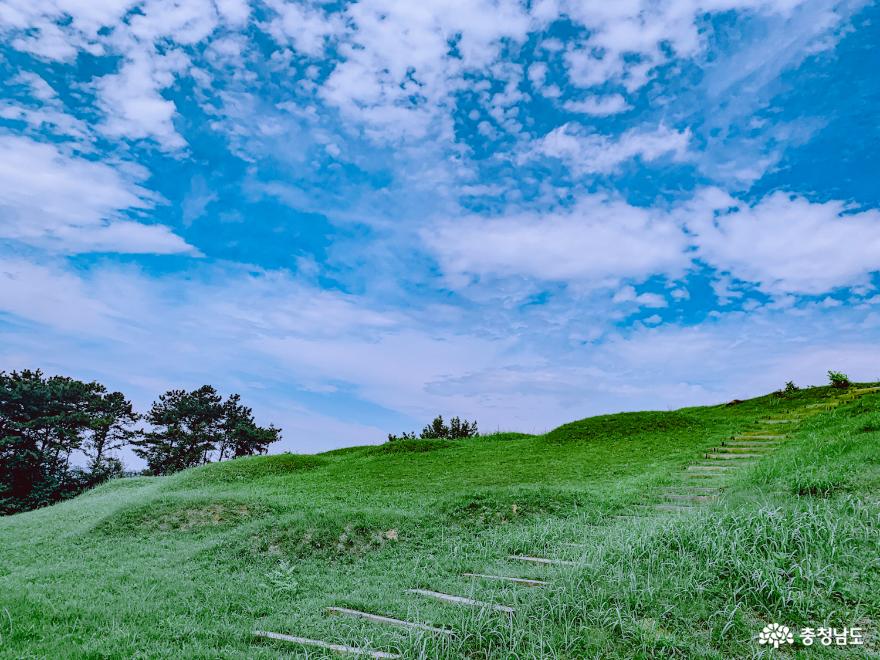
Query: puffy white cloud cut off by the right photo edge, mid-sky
(787, 244)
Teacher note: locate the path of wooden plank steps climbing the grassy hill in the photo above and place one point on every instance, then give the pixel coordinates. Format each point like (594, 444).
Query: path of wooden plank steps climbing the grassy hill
(699, 489)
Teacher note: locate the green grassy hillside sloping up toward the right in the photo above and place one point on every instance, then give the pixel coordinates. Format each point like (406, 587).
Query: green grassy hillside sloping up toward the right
(665, 558)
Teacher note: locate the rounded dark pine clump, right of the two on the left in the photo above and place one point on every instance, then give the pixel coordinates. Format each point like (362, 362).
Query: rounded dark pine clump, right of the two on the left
(194, 428)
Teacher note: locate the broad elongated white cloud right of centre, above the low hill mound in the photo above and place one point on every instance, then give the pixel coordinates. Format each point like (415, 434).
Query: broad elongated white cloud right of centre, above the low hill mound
(600, 241)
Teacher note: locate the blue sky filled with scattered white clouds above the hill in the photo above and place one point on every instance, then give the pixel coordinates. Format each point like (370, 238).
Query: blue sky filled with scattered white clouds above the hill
(361, 214)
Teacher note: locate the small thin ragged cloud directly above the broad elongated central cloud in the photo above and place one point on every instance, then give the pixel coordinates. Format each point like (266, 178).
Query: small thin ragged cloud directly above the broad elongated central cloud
(586, 152)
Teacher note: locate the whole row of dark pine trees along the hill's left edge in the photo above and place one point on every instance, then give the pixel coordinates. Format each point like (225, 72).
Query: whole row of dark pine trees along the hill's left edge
(59, 436)
